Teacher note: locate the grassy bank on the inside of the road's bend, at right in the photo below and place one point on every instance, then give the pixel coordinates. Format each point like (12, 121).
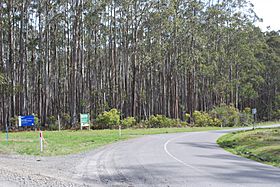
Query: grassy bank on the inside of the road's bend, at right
(262, 145)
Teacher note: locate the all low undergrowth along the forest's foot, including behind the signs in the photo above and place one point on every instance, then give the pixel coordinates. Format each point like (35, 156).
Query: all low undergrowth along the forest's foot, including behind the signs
(220, 116)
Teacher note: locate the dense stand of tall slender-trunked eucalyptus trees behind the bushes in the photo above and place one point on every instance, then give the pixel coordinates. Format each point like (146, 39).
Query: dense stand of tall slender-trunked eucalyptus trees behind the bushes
(142, 57)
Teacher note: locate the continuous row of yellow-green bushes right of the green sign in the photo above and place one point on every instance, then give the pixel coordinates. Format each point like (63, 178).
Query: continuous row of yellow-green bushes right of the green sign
(220, 116)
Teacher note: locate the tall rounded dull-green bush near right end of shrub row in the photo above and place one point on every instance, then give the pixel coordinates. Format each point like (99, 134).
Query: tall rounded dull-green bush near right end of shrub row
(229, 115)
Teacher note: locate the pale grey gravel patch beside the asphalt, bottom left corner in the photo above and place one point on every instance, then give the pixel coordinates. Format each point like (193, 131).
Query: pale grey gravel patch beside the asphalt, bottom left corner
(38, 171)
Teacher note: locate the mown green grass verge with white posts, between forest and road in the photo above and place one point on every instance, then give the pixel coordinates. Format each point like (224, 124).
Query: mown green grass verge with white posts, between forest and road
(69, 142)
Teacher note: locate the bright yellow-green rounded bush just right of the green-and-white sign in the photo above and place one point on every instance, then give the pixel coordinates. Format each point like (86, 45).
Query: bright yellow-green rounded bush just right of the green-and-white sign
(109, 119)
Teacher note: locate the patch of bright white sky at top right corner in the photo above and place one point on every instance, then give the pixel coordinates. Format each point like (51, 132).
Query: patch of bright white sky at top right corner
(269, 11)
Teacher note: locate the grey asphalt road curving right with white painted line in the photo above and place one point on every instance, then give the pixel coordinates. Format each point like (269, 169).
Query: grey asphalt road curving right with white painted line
(186, 159)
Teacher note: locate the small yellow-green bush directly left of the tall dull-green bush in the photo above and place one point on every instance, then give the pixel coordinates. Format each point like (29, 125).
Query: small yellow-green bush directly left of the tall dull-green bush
(202, 119)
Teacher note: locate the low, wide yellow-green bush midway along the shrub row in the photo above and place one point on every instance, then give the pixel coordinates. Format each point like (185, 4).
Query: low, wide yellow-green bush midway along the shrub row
(160, 121)
